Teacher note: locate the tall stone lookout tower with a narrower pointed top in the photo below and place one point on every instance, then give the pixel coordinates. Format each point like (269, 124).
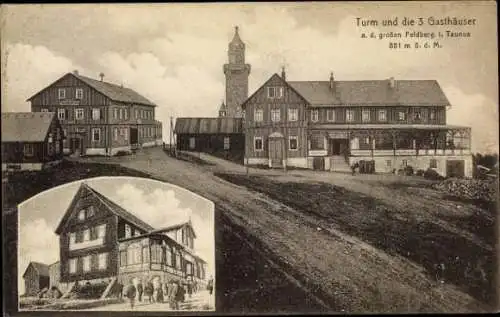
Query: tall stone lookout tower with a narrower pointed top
(236, 72)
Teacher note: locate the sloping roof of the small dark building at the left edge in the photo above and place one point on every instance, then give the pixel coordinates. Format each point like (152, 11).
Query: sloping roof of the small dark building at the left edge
(26, 126)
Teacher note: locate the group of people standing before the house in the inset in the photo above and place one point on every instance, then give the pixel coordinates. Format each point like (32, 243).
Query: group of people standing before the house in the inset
(172, 292)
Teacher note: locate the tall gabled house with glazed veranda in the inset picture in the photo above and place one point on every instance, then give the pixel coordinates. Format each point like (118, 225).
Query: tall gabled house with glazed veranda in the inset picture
(101, 241)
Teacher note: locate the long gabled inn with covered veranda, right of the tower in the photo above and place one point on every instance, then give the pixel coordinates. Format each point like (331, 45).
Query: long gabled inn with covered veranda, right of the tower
(330, 125)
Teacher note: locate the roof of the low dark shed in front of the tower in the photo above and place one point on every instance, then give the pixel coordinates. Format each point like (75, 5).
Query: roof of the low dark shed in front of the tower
(221, 125)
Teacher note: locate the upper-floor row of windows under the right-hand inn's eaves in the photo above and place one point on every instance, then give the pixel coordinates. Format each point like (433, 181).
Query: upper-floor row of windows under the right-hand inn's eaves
(330, 115)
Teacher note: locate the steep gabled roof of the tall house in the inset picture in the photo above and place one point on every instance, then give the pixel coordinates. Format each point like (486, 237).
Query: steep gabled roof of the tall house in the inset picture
(112, 206)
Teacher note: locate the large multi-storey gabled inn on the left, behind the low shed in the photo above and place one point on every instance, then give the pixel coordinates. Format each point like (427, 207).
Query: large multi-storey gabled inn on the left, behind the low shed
(99, 118)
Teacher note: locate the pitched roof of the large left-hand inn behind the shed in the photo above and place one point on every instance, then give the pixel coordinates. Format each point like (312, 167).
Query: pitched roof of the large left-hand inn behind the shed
(112, 91)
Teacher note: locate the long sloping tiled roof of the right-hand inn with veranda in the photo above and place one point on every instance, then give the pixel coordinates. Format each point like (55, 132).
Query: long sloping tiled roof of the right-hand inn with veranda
(372, 92)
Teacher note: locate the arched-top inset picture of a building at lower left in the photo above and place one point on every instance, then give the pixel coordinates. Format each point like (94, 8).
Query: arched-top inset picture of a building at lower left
(116, 244)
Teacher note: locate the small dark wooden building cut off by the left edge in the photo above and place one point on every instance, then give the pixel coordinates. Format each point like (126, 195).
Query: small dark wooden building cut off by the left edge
(30, 141)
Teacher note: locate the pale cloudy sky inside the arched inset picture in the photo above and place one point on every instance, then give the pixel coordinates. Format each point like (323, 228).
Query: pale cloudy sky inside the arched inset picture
(158, 204)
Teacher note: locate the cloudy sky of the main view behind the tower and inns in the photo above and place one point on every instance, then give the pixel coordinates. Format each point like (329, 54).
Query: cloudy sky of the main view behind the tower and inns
(173, 53)
